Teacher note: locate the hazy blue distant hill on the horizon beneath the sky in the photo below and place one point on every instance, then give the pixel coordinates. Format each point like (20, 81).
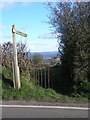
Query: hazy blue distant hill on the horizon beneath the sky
(46, 55)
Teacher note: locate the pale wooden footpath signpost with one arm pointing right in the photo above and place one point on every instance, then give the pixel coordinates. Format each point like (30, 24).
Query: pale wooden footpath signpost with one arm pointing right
(16, 73)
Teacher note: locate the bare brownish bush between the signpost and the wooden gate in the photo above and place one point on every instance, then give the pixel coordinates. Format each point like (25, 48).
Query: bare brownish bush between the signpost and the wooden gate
(24, 61)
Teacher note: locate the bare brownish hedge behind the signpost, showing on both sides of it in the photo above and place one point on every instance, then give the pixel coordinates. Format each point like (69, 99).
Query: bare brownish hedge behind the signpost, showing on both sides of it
(22, 52)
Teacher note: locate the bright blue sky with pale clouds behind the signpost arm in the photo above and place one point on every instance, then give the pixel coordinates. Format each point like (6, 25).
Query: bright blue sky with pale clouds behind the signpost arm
(30, 18)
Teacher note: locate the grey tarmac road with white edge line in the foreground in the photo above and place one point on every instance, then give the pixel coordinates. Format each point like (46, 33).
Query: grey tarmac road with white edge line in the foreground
(24, 111)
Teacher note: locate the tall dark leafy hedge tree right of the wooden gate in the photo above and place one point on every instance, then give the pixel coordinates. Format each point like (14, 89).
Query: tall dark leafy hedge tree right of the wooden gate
(72, 22)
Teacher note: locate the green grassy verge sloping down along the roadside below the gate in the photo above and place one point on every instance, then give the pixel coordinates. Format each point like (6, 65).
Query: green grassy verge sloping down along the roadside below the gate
(29, 91)
